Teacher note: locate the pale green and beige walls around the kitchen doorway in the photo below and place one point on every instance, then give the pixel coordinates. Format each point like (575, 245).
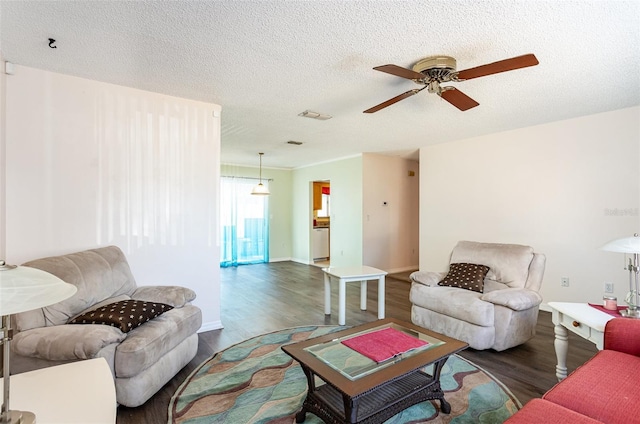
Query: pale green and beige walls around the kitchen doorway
(359, 186)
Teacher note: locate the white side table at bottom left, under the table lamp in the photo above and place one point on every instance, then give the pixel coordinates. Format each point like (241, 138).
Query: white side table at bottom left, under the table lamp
(81, 392)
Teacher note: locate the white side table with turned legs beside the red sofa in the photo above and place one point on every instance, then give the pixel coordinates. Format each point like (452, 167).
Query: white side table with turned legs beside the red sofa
(581, 319)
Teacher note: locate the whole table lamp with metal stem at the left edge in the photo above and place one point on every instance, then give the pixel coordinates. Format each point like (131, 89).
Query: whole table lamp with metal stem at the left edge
(23, 289)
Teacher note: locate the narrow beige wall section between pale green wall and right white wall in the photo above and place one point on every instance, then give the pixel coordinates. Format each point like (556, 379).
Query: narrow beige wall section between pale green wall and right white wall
(391, 206)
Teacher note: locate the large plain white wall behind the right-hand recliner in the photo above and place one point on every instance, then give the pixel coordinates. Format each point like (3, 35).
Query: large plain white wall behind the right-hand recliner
(565, 188)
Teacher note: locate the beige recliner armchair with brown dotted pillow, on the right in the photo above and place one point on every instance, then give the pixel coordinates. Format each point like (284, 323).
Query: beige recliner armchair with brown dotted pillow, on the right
(498, 311)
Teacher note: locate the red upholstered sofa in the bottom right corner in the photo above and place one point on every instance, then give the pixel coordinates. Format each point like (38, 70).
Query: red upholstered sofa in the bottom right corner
(606, 389)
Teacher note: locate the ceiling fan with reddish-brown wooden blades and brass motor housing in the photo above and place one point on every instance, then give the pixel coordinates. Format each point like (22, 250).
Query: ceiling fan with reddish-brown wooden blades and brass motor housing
(433, 71)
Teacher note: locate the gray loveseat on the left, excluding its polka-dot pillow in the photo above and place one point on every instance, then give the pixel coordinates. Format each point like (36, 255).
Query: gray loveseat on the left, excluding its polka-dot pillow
(142, 360)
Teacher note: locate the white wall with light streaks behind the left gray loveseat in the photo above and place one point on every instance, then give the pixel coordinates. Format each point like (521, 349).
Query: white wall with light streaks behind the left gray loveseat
(91, 164)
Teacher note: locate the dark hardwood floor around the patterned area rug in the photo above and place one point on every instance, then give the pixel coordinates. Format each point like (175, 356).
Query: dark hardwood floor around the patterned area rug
(257, 299)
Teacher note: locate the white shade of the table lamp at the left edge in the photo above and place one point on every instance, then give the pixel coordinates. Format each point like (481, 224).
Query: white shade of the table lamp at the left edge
(23, 288)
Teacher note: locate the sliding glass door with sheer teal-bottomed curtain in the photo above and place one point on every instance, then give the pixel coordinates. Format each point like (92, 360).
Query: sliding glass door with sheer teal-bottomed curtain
(244, 221)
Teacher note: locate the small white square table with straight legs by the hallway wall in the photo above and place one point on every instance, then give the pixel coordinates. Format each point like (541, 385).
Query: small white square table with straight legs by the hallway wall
(350, 274)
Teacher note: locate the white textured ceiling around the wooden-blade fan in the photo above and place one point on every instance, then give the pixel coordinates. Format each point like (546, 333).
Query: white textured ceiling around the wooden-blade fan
(265, 62)
